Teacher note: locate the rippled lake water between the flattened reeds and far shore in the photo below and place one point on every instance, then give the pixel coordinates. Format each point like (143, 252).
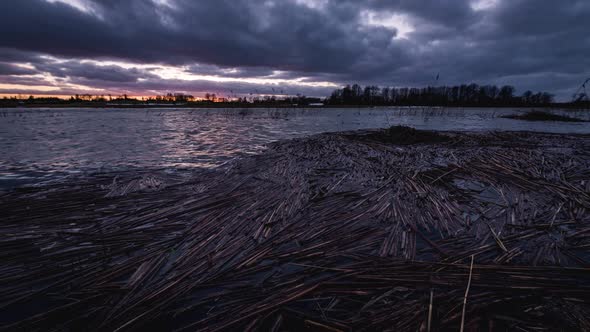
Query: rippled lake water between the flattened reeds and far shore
(43, 144)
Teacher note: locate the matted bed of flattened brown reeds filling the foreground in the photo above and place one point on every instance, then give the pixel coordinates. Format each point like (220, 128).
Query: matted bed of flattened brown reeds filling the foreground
(336, 232)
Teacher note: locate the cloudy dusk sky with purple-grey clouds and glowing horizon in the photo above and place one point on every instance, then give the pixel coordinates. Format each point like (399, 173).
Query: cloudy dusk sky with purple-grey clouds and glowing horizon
(309, 47)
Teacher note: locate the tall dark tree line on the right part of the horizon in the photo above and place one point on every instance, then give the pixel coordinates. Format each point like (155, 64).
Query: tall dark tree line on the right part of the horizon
(459, 95)
